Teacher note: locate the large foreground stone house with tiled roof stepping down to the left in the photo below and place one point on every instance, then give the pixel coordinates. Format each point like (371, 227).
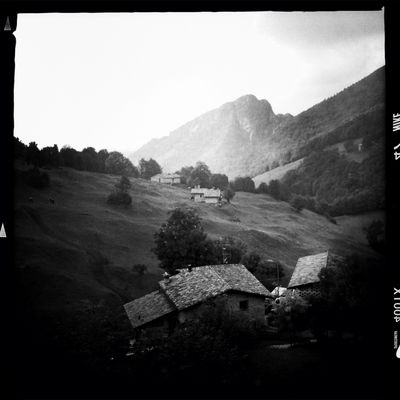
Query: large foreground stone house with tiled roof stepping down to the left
(182, 297)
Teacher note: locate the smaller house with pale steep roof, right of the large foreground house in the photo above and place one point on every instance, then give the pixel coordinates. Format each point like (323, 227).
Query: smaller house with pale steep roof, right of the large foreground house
(305, 280)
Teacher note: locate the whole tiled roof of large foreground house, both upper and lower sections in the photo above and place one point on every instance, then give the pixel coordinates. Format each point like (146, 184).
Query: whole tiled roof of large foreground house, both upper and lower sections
(188, 288)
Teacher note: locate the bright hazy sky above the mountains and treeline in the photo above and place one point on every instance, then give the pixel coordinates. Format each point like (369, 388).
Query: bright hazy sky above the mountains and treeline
(117, 80)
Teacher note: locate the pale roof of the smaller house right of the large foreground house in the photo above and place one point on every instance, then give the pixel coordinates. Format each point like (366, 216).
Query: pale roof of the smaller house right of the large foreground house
(308, 268)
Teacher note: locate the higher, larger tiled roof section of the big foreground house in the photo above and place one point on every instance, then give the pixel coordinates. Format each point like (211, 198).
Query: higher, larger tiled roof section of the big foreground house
(191, 287)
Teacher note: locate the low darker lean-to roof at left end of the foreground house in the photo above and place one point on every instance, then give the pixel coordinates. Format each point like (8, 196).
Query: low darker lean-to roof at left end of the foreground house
(148, 308)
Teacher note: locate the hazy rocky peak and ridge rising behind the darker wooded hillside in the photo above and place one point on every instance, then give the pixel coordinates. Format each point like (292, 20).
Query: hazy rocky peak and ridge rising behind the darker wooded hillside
(245, 137)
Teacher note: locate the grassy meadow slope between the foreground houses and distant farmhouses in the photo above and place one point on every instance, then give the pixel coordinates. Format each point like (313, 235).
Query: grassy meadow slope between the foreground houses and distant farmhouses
(81, 249)
